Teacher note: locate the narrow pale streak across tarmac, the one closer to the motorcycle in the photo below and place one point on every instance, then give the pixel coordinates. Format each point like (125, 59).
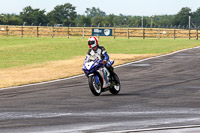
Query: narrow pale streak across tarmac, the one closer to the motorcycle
(111, 113)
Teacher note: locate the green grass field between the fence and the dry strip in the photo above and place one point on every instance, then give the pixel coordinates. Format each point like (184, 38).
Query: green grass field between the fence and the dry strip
(15, 51)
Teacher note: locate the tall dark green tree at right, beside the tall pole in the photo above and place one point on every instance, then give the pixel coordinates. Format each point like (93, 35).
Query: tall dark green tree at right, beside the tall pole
(182, 17)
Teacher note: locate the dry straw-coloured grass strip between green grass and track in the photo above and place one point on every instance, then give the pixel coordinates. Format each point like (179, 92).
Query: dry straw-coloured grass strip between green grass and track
(55, 70)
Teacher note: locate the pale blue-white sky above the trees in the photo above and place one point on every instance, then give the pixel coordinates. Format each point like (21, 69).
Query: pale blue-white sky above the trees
(125, 7)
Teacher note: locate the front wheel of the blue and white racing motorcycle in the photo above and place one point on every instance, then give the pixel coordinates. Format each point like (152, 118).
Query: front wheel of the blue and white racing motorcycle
(94, 87)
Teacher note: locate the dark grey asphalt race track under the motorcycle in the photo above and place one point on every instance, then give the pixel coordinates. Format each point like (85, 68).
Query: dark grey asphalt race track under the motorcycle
(158, 92)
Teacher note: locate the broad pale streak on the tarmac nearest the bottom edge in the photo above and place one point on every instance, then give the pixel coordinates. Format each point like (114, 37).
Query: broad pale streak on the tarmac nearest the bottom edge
(106, 126)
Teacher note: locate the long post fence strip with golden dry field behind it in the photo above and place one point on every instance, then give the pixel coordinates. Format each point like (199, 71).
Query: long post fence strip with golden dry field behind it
(123, 31)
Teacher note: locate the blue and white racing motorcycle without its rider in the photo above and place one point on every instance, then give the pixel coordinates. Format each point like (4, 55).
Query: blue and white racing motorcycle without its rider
(100, 79)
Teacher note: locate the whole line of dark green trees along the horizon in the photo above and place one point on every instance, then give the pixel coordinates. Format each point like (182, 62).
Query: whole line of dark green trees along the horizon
(66, 15)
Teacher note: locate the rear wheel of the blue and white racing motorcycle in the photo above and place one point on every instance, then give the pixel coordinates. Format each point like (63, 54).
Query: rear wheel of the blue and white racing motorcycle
(116, 88)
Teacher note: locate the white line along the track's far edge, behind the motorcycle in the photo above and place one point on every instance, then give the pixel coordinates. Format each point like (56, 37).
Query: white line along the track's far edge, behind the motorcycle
(84, 74)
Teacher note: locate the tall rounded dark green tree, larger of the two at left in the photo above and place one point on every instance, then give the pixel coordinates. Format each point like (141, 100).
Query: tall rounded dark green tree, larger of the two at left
(63, 14)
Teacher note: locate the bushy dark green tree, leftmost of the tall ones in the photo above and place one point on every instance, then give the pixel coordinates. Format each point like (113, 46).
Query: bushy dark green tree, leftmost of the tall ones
(35, 16)
